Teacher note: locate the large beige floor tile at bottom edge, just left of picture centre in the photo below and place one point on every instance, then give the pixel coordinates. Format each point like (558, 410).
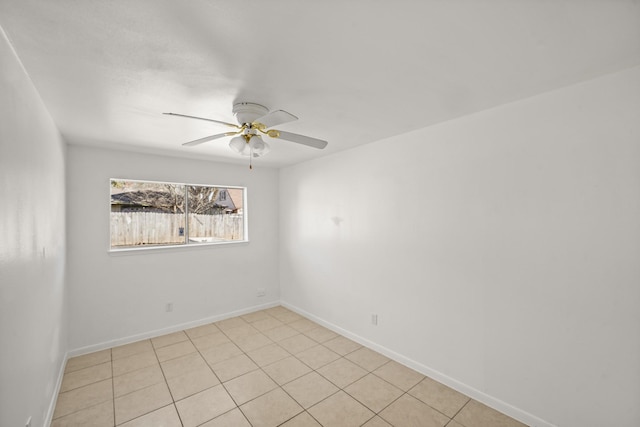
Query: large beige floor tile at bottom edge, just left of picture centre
(271, 409)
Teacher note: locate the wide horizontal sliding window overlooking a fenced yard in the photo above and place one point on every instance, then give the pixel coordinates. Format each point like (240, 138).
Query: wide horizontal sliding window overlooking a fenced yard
(153, 214)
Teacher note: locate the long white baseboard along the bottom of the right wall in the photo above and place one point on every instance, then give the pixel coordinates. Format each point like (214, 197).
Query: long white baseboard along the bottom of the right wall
(497, 404)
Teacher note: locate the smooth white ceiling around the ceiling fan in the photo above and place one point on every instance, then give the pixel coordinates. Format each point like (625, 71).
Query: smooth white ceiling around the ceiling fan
(353, 71)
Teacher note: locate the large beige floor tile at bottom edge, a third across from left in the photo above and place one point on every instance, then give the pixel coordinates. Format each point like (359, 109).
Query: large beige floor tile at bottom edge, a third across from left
(204, 406)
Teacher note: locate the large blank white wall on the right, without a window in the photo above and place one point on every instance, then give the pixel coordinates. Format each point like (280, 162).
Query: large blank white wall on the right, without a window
(506, 242)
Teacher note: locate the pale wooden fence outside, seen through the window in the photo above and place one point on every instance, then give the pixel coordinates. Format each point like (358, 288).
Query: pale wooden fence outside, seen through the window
(152, 228)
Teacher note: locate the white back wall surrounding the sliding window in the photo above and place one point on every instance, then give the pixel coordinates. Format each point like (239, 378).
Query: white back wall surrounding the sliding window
(117, 298)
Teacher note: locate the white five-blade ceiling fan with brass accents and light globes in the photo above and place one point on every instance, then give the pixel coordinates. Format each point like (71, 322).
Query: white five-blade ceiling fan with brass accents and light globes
(253, 120)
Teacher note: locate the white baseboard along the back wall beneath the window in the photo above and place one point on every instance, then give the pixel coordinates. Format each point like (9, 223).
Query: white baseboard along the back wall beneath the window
(174, 328)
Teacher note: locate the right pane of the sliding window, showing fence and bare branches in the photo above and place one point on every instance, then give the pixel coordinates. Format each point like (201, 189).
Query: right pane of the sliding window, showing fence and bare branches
(215, 214)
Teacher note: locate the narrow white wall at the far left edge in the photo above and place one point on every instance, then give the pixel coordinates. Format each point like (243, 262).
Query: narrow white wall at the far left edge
(33, 327)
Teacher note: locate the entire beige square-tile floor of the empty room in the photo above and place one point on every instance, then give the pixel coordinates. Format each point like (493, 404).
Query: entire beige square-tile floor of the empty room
(264, 369)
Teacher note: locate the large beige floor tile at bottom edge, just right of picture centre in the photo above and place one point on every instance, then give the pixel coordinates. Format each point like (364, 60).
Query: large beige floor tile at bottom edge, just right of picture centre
(341, 410)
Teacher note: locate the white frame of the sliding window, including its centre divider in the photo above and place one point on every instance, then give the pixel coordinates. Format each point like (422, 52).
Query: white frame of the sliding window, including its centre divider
(187, 244)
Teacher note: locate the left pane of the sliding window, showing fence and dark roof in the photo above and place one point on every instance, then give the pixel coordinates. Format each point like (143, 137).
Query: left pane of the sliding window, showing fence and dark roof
(147, 213)
